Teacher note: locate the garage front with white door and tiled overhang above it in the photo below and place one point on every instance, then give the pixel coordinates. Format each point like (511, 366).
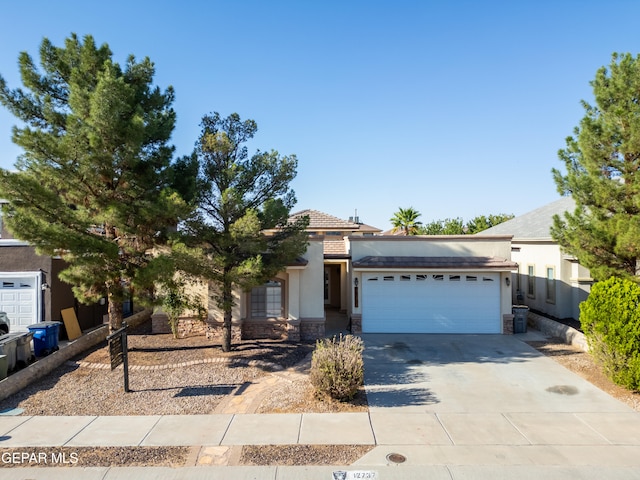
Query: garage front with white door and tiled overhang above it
(439, 294)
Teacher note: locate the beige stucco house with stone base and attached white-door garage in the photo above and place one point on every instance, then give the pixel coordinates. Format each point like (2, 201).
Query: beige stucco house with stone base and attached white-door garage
(381, 284)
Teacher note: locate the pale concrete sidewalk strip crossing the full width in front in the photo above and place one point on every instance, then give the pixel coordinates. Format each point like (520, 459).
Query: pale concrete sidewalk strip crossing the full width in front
(438, 431)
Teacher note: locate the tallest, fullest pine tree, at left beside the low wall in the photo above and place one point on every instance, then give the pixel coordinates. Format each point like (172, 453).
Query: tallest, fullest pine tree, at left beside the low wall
(91, 185)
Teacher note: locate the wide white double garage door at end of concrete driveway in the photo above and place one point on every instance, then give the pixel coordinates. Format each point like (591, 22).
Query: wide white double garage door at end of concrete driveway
(431, 303)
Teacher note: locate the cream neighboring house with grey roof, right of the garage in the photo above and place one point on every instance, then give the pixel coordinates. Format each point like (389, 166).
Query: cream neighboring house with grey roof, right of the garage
(548, 280)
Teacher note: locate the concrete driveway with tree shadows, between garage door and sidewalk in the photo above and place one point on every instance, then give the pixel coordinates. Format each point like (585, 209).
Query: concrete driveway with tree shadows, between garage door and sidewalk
(473, 374)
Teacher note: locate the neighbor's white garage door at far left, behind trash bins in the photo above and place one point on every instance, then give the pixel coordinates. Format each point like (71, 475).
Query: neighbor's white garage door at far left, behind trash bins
(18, 300)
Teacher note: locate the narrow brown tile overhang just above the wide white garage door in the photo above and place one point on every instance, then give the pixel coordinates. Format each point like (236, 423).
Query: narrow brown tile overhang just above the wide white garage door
(481, 263)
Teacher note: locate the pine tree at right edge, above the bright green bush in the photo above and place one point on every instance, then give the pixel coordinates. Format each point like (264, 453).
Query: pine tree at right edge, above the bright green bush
(602, 161)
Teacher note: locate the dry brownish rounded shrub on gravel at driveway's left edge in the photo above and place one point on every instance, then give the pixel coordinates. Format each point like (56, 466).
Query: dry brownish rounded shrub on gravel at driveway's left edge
(337, 368)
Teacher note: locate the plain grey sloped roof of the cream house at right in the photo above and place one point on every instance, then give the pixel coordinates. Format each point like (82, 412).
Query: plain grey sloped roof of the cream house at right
(534, 224)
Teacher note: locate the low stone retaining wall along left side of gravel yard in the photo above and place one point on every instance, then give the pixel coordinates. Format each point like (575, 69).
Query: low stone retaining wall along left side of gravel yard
(19, 380)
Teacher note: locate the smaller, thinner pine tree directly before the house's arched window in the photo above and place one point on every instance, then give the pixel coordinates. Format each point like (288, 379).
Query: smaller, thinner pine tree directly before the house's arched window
(237, 198)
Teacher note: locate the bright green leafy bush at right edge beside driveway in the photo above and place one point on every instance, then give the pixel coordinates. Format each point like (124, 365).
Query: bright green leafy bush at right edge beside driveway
(610, 318)
